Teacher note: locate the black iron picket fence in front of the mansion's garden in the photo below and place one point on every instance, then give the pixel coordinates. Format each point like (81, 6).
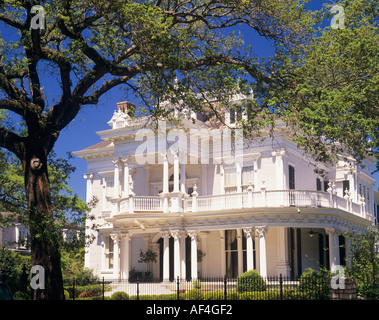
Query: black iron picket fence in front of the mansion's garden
(268, 288)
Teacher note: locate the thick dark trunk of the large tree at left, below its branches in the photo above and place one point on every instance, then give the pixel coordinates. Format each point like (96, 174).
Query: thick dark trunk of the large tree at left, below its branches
(44, 235)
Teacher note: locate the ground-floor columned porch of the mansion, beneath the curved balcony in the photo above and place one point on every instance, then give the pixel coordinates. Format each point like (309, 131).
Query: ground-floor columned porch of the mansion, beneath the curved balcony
(230, 252)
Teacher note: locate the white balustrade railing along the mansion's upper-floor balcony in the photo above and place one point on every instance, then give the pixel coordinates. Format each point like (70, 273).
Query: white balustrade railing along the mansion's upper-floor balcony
(231, 201)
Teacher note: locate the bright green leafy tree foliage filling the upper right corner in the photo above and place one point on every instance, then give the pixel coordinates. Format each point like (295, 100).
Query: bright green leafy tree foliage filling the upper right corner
(326, 89)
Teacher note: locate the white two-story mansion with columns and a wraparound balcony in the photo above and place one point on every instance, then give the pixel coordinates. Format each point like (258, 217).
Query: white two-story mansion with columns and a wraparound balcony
(211, 211)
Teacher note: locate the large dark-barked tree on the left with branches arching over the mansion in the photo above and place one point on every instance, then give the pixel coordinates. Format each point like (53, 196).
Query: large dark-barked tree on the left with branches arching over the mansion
(177, 50)
